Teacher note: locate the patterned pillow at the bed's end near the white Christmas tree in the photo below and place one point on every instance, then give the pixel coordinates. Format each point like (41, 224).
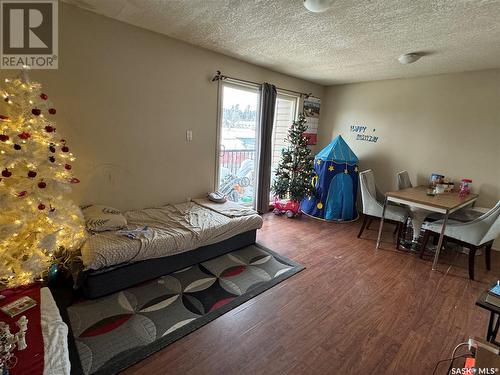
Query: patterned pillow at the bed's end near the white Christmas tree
(102, 218)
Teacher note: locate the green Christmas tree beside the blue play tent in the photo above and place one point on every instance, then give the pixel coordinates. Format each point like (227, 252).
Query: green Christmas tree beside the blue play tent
(295, 170)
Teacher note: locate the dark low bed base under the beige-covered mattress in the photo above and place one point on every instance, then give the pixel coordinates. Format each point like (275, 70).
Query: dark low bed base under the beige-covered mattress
(113, 279)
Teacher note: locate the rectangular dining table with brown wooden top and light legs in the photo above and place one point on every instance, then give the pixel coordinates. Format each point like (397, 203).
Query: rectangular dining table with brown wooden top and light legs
(444, 203)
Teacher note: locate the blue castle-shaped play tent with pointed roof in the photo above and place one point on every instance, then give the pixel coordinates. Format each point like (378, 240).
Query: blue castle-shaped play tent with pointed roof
(335, 183)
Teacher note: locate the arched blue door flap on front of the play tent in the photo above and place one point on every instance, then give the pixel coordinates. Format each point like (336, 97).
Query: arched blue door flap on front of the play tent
(339, 202)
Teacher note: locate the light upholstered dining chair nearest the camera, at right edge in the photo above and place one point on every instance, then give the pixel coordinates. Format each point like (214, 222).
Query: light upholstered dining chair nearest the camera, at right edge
(473, 234)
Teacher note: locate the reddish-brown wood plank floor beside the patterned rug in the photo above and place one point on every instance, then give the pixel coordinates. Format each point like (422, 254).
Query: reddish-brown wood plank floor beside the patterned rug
(353, 310)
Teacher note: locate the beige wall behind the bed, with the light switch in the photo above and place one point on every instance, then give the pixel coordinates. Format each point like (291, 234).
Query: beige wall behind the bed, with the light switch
(125, 98)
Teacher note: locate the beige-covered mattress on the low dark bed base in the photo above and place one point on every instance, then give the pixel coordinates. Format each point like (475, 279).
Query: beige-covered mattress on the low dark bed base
(171, 229)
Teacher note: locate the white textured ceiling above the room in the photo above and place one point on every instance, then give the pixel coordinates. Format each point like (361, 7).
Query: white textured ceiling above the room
(351, 42)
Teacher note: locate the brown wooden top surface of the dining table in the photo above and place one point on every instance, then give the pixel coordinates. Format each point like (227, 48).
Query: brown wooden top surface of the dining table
(445, 201)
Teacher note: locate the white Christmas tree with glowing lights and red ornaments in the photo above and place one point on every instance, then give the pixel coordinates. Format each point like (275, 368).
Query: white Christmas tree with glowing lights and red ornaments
(38, 222)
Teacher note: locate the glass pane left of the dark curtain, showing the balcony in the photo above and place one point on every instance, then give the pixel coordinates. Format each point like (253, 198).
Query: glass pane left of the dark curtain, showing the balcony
(238, 131)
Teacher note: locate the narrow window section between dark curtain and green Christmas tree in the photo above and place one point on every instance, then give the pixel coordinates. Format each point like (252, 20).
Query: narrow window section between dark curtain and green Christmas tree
(284, 114)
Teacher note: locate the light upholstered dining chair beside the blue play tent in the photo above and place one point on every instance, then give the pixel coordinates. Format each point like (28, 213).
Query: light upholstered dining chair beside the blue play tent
(373, 204)
